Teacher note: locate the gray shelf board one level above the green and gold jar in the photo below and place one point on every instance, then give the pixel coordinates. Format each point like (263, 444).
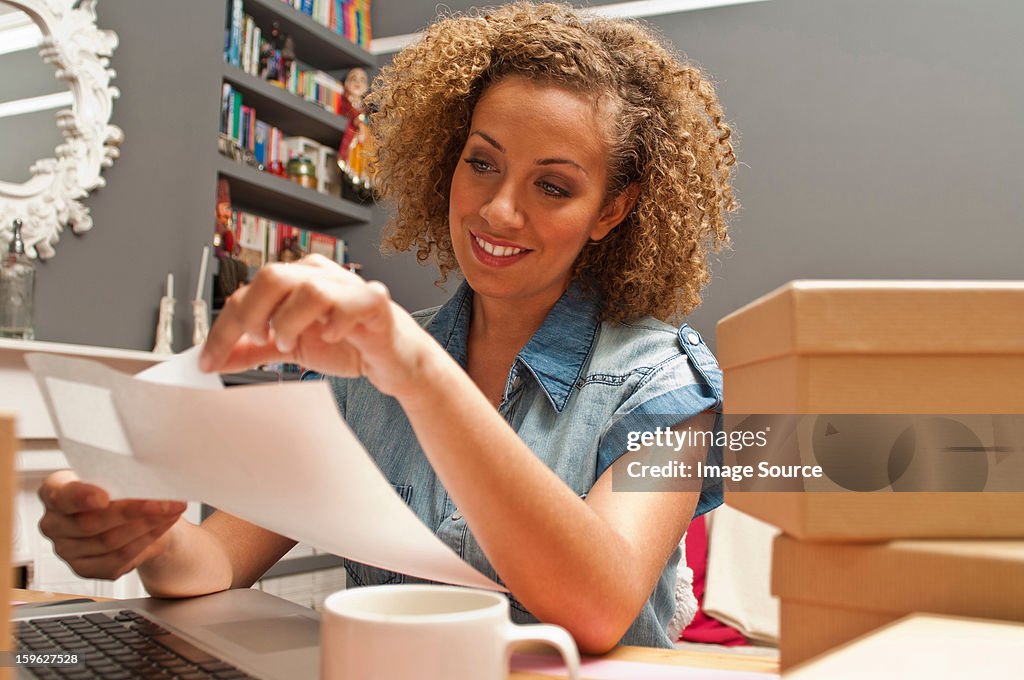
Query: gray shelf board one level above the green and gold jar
(295, 116)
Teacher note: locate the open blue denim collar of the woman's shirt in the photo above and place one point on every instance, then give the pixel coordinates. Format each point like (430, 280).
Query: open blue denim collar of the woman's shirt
(556, 355)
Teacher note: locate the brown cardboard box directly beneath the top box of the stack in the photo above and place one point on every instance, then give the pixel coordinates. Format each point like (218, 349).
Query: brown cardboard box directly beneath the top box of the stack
(832, 592)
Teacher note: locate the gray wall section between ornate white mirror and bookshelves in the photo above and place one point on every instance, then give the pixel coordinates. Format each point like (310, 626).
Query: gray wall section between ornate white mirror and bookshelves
(104, 287)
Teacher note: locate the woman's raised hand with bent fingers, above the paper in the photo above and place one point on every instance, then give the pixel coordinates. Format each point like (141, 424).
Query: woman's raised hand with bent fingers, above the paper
(319, 315)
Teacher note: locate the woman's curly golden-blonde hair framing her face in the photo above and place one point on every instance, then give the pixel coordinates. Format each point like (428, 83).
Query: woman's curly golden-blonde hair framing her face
(669, 139)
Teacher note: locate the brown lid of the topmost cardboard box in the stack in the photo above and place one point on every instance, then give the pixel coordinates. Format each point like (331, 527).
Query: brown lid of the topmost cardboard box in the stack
(926, 318)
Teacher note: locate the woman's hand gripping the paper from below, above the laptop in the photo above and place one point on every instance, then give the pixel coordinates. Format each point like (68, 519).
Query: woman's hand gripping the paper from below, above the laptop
(100, 538)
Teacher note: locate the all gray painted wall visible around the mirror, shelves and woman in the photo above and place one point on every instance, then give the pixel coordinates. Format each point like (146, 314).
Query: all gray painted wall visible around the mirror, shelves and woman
(879, 139)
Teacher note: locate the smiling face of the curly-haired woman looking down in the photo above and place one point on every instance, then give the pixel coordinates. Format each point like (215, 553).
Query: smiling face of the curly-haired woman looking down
(529, 191)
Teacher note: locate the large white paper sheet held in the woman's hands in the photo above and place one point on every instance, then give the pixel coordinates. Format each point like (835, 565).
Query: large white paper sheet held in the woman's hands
(277, 455)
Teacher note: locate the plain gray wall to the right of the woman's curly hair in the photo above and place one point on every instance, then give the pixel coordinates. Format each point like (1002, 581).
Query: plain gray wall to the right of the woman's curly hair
(879, 139)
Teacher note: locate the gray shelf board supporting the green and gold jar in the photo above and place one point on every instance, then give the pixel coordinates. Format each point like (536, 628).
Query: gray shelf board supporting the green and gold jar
(286, 201)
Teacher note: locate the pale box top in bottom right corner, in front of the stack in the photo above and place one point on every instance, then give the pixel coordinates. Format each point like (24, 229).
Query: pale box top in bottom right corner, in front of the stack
(924, 647)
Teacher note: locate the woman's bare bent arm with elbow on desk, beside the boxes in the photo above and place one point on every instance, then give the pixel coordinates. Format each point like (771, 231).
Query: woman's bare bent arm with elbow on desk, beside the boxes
(586, 566)
